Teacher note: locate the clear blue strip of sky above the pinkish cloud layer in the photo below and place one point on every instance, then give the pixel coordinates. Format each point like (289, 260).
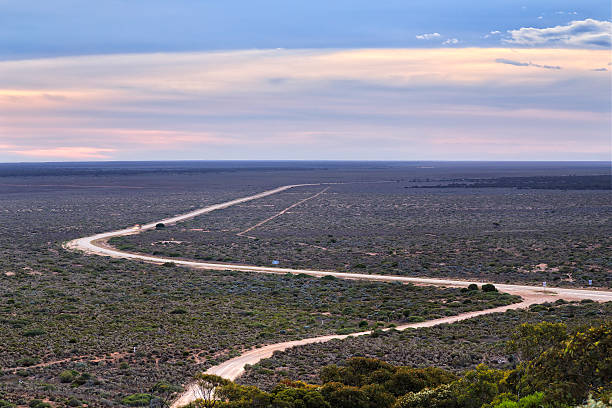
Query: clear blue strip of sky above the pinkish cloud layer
(34, 28)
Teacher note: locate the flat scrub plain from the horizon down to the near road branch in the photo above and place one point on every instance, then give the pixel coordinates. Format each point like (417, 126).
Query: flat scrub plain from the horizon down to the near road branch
(96, 329)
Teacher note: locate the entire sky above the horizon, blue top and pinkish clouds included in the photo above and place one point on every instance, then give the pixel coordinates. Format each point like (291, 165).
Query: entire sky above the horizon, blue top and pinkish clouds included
(272, 79)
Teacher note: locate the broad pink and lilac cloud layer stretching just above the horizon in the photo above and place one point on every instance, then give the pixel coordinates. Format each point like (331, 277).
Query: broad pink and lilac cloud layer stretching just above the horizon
(391, 104)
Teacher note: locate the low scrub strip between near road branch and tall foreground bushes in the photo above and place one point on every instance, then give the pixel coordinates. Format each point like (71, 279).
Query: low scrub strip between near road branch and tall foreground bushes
(456, 347)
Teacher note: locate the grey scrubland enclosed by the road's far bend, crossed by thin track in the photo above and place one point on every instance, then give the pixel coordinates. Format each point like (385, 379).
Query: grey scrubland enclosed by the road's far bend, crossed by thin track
(495, 234)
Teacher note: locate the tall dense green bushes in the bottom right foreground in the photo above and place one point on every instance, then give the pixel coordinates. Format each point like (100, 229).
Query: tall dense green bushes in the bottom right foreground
(566, 373)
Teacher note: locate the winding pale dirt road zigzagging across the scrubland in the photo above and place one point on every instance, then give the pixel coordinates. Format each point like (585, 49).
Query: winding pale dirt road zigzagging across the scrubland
(231, 369)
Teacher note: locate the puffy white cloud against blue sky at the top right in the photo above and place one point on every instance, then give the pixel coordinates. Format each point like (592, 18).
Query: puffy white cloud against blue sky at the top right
(587, 33)
